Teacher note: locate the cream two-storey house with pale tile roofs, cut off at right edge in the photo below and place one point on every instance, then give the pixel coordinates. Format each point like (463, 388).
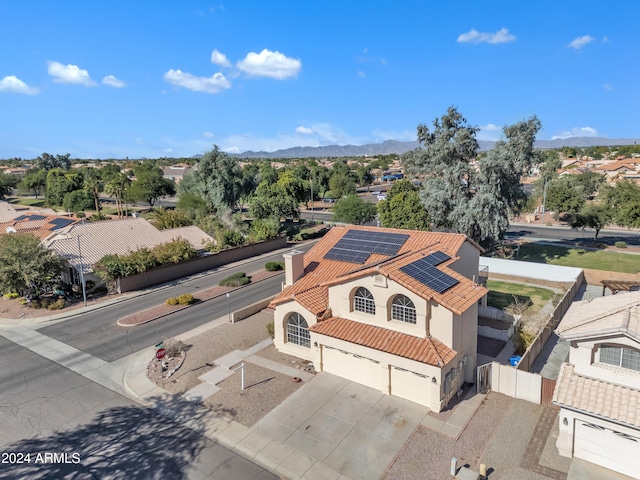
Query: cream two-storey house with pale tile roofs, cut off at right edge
(598, 391)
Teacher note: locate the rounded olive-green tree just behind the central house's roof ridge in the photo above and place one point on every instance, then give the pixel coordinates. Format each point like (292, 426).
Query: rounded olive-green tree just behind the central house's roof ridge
(403, 209)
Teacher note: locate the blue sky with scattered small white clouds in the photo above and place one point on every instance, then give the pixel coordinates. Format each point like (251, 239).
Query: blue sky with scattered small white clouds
(116, 79)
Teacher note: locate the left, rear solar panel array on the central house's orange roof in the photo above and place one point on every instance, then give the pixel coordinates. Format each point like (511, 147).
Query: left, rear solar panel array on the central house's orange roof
(356, 245)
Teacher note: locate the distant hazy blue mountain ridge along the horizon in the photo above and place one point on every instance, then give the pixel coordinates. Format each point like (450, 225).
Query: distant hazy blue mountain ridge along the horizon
(393, 146)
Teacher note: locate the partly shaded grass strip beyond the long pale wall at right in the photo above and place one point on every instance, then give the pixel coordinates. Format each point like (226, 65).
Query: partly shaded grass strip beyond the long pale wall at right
(577, 257)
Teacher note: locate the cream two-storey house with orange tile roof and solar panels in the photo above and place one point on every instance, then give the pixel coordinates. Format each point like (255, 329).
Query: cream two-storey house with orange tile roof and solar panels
(396, 310)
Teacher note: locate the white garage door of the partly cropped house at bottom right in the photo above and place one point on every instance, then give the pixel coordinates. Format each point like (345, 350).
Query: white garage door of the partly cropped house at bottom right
(606, 447)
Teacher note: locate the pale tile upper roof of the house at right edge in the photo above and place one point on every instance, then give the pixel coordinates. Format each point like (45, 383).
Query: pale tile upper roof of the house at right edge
(614, 314)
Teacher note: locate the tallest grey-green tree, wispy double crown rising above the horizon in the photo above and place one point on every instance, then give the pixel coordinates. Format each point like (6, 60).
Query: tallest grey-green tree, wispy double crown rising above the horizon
(460, 197)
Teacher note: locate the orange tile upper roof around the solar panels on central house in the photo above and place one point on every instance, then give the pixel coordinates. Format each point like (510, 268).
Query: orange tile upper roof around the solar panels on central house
(311, 291)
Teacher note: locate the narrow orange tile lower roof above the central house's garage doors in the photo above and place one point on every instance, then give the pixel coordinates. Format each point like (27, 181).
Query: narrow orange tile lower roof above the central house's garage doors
(425, 350)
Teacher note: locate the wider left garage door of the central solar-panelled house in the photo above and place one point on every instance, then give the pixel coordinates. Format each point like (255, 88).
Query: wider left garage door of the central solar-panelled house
(352, 367)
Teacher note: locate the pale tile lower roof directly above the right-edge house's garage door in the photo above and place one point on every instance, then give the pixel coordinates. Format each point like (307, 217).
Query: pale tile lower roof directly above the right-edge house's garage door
(597, 397)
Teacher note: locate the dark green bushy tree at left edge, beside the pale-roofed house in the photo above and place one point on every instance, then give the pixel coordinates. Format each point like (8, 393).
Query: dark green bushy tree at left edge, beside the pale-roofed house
(25, 264)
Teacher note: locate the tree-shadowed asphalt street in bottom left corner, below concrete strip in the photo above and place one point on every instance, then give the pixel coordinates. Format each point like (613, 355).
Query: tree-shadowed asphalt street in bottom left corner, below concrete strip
(47, 410)
